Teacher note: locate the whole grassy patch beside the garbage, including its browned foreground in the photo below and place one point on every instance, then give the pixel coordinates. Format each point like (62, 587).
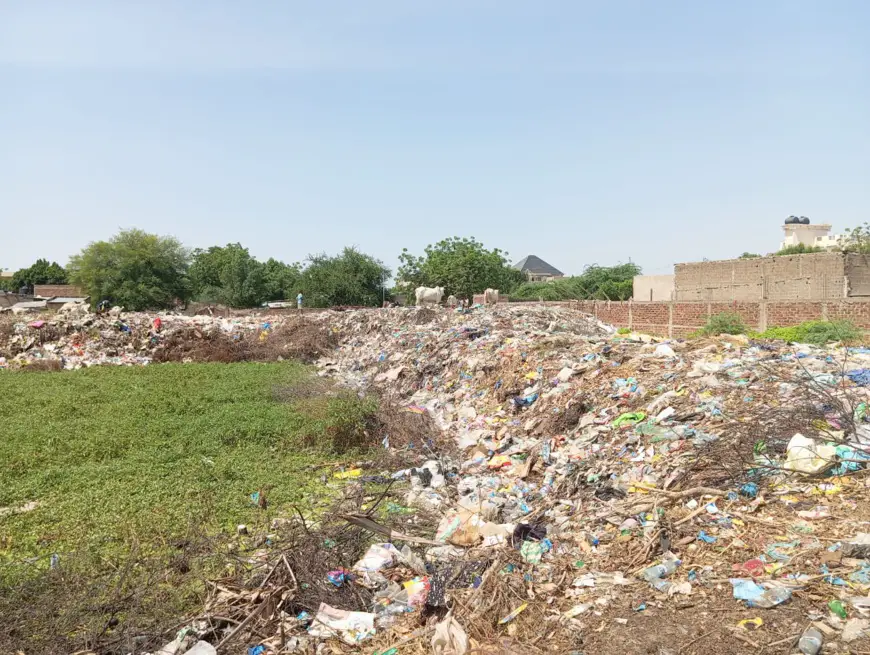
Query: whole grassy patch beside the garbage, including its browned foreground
(127, 464)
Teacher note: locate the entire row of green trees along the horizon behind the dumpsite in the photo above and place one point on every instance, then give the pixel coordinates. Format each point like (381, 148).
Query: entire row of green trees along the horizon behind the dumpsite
(139, 270)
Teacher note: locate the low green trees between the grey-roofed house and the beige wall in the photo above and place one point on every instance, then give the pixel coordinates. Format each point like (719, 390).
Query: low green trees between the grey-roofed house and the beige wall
(596, 283)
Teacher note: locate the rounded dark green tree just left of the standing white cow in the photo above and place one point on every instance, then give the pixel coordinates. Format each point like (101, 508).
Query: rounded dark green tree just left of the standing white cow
(351, 278)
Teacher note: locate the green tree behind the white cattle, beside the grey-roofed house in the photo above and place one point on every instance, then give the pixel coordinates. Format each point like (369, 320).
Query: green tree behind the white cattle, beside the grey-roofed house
(463, 266)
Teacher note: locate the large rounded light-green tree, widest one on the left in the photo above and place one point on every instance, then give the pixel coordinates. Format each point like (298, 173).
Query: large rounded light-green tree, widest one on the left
(133, 269)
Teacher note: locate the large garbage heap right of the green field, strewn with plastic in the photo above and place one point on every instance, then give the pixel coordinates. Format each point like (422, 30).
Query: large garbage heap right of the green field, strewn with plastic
(614, 493)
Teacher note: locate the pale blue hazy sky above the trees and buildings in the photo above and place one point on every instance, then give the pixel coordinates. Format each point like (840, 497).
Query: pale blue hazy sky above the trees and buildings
(582, 132)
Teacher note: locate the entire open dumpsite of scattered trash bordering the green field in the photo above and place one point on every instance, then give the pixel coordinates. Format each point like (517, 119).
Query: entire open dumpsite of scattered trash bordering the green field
(533, 482)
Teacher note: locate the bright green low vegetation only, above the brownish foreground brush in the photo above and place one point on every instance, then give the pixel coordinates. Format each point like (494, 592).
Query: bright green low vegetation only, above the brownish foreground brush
(112, 453)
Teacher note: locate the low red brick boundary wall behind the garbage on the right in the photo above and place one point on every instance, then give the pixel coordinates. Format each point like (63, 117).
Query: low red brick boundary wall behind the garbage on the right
(677, 319)
